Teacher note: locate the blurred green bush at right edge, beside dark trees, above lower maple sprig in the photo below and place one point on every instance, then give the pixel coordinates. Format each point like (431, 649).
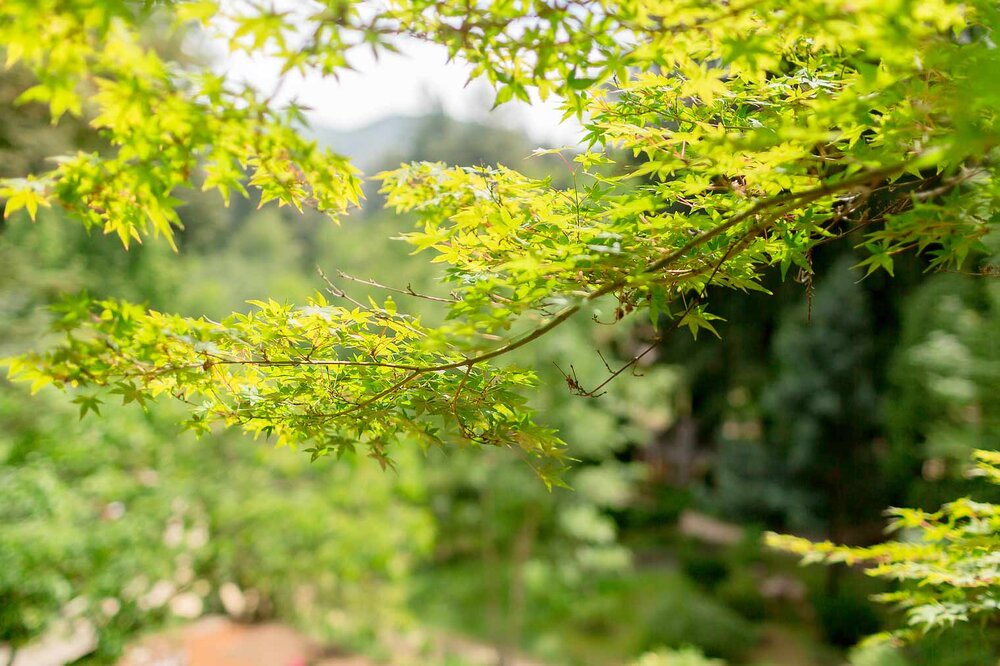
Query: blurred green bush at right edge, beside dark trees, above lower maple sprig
(944, 395)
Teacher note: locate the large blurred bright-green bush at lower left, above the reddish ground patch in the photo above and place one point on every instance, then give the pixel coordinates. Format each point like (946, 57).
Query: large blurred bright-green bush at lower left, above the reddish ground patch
(122, 521)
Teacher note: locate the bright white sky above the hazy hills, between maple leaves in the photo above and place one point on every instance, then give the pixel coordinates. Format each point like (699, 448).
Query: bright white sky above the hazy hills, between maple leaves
(409, 83)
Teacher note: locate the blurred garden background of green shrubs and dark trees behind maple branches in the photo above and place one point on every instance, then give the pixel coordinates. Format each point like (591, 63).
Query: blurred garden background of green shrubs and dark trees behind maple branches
(817, 408)
